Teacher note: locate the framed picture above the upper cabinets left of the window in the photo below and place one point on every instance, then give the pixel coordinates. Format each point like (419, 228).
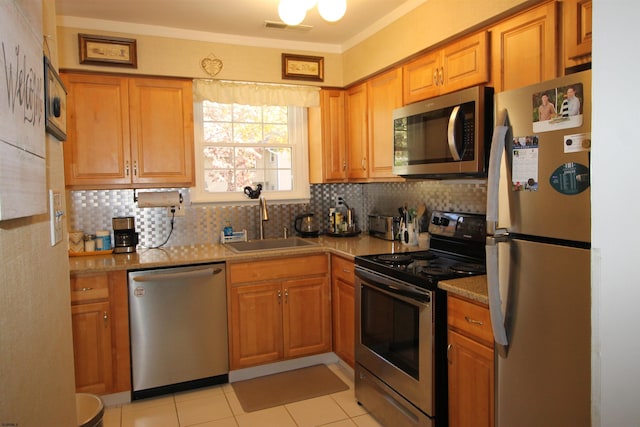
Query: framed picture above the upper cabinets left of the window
(101, 50)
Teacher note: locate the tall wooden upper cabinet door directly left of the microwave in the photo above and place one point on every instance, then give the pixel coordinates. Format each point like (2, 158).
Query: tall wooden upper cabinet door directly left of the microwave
(384, 94)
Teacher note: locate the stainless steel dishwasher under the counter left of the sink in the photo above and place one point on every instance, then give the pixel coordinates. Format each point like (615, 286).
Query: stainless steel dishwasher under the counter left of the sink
(178, 328)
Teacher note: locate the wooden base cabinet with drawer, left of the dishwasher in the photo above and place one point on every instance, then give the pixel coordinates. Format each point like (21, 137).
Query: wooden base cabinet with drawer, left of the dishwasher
(99, 319)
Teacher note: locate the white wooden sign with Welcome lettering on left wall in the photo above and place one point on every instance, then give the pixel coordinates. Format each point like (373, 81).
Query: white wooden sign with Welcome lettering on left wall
(22, 119)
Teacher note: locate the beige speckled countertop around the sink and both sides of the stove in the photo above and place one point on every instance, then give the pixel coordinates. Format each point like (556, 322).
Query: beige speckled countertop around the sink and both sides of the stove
(474, 288)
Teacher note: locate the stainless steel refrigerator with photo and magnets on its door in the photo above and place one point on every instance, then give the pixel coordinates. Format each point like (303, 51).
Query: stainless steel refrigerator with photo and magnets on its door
(538, 253)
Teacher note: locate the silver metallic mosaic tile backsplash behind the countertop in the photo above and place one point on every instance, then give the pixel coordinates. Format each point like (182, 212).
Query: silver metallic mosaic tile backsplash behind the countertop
(91, 210)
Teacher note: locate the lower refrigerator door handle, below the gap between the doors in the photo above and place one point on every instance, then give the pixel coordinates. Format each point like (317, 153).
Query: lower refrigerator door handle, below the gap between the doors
(493, 284)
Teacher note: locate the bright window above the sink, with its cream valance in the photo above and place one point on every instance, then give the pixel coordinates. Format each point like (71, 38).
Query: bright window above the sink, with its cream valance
(243, 140)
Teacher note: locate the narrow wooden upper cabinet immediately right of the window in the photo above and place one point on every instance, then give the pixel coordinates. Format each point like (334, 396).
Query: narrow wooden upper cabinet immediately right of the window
(327, 146)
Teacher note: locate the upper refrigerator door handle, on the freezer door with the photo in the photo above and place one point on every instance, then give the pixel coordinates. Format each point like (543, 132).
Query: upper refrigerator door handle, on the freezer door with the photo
(498, 143)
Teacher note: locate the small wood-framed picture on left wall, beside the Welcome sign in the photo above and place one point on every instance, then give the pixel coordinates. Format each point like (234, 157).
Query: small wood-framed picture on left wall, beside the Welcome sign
(55, 102)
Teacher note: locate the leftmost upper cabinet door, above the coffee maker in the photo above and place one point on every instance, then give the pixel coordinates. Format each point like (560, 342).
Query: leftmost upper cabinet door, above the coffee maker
(97, 147)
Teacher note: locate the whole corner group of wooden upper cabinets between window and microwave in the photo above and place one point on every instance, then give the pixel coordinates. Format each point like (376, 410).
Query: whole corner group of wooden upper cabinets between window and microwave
(350, 136)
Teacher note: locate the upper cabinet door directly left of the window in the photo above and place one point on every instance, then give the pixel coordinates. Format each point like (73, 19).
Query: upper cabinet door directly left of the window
(161, 112)
